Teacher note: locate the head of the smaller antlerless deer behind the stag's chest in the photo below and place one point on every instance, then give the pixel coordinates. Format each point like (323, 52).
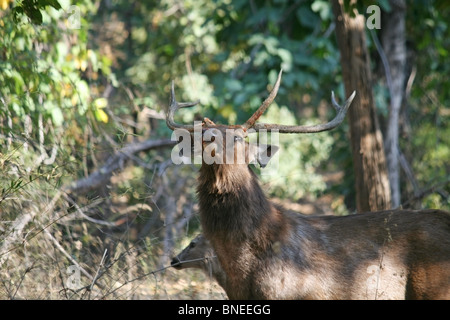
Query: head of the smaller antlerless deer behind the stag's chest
(199, 254)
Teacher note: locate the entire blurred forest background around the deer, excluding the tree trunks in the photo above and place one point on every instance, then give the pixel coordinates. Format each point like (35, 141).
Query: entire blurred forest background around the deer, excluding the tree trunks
(92, 206)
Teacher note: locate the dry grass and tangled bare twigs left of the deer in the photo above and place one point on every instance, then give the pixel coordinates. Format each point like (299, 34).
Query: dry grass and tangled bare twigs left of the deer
(119, 238)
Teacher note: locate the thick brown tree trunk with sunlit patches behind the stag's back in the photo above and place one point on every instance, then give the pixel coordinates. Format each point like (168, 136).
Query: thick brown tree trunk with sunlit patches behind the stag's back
(371, 179)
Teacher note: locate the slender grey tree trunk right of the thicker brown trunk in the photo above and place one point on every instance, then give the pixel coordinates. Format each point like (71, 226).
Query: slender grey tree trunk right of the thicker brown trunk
(394, 47)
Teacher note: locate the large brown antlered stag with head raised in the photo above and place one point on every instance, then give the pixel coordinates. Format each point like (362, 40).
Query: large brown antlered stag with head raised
(268, 252)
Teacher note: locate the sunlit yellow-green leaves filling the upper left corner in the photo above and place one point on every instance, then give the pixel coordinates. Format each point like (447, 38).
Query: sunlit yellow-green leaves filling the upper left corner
(47, 80)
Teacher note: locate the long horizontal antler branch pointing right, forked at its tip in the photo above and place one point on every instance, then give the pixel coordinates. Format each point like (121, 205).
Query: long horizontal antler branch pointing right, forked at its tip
(315, 128)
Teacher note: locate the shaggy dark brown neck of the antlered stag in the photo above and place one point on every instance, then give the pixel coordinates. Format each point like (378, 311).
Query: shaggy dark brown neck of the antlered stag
(234, 208)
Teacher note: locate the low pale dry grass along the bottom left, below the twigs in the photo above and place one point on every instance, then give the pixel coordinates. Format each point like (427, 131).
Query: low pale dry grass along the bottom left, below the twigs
(40, 269)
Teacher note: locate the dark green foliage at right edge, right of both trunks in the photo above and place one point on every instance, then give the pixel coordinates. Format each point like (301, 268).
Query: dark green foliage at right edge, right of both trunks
(426, 140)
